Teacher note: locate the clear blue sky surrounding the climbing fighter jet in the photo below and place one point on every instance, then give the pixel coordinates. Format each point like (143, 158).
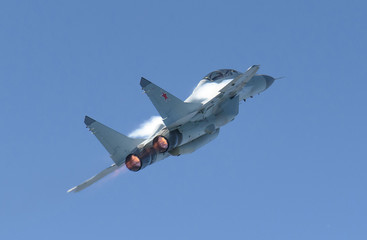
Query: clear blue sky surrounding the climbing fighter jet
(291, 166)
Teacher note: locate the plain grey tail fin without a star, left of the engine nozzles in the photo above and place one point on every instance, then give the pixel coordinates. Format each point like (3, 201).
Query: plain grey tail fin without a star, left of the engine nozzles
(117, 144)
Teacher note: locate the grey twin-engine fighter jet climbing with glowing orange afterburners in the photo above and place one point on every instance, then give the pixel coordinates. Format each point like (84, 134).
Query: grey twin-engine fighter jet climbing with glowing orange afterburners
(188, 125)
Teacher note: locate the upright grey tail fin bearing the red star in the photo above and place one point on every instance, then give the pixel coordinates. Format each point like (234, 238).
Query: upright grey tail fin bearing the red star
(172, 110)
